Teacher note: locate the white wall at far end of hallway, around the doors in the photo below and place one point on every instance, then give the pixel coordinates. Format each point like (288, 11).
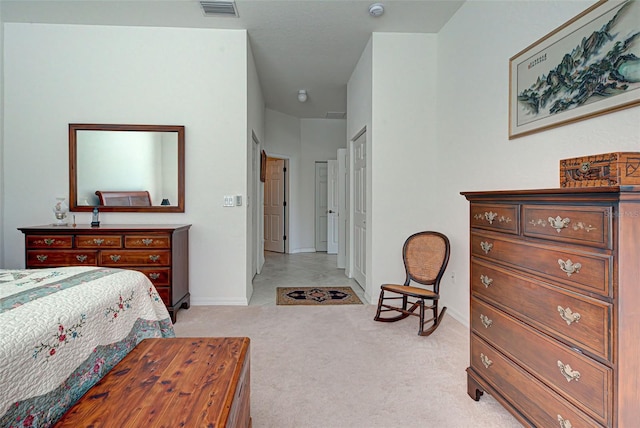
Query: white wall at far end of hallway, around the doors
(303, 142)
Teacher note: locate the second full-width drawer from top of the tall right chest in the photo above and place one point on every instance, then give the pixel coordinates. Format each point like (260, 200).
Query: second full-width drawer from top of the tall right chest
(580, 320)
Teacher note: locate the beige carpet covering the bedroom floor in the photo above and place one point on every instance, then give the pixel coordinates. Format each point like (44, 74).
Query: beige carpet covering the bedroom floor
(334, 367)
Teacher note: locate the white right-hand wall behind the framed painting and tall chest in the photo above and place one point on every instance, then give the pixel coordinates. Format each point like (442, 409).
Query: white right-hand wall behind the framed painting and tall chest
(474, 152)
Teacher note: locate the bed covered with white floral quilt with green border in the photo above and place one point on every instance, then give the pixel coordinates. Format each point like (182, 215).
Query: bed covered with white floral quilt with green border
(63, 329)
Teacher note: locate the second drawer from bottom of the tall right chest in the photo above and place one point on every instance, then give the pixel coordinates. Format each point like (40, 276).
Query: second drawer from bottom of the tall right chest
(578, 378)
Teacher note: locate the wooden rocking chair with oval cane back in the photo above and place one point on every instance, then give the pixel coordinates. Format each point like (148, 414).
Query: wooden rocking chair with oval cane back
(425, 256)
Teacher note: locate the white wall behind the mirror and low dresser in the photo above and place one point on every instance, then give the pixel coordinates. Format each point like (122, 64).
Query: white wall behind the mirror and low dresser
(58, 74)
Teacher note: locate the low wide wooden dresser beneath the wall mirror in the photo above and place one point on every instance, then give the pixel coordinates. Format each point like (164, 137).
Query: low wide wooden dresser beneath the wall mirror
(159, 251)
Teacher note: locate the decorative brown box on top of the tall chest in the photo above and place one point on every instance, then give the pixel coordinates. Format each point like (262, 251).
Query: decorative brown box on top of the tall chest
(610, 169)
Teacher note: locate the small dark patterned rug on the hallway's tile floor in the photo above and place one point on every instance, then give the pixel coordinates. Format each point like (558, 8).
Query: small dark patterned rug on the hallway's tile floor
(316, 296)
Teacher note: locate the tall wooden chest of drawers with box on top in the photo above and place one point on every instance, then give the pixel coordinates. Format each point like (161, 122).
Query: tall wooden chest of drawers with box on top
(555, 304)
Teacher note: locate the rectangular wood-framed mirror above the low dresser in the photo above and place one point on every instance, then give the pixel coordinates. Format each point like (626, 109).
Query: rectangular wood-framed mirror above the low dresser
(126, 168)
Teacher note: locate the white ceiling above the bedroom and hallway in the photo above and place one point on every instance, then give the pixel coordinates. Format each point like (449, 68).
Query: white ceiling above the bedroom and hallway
(297, 44)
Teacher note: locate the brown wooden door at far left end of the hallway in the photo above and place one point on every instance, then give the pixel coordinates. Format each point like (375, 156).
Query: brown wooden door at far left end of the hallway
(274, 206)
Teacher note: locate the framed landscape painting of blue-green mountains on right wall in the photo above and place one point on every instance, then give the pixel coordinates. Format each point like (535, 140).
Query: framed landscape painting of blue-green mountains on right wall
(587, 67)
